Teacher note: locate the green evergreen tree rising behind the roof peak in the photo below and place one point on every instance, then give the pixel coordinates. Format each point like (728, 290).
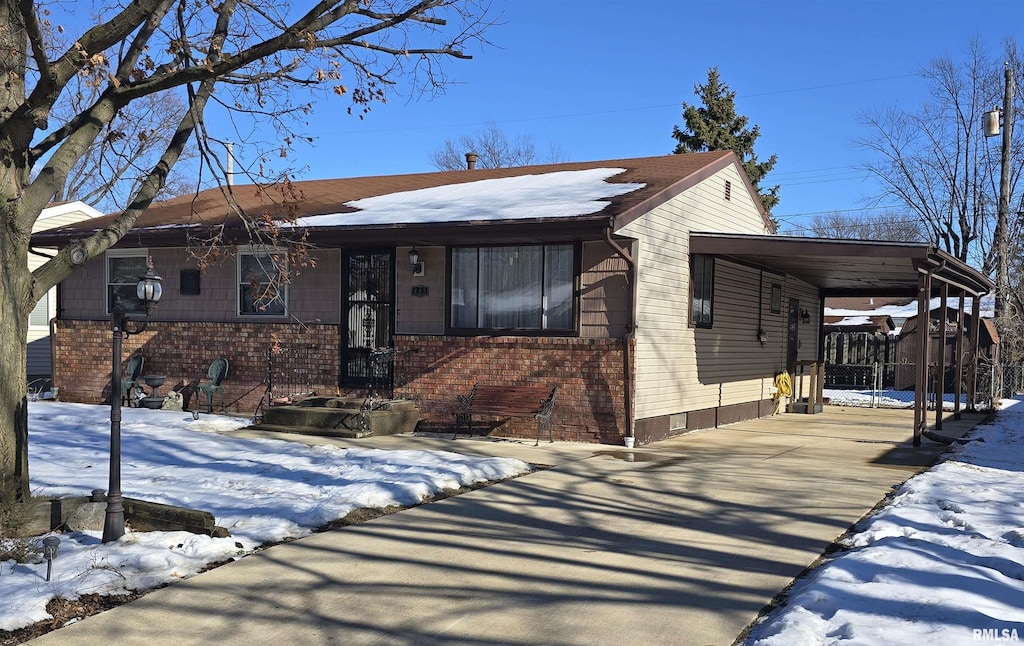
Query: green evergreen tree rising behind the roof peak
(716, 126)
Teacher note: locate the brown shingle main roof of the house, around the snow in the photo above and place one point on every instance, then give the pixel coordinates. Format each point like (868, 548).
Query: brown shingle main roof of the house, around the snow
(663, 178)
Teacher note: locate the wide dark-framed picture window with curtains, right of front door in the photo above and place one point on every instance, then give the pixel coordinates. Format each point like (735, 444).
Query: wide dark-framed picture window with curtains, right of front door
(525, 287)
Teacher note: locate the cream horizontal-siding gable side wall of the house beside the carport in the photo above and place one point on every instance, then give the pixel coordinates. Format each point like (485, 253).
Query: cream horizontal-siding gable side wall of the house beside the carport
(680, 368)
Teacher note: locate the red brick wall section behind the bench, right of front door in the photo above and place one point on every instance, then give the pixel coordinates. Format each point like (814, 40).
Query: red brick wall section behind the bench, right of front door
(589, 407)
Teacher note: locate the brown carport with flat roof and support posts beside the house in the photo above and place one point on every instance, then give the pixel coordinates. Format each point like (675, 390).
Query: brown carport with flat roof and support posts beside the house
(865, 269)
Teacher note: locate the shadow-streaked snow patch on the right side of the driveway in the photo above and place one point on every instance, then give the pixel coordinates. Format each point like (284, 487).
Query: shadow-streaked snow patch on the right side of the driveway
(943, 564)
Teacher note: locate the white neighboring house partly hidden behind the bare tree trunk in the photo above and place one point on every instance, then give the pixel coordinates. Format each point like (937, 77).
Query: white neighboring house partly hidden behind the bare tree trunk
(59, 216)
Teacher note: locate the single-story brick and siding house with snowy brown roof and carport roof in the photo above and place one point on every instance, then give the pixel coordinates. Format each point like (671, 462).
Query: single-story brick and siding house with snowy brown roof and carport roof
(651, 290)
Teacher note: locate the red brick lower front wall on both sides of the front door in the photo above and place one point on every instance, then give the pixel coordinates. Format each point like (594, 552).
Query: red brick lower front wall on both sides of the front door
(589, 407)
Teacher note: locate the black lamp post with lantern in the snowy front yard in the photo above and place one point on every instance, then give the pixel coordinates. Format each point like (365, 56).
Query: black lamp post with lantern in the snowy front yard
(124, 324)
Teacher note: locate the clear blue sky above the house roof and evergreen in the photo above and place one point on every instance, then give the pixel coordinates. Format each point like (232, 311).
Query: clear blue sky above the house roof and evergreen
(606, 80)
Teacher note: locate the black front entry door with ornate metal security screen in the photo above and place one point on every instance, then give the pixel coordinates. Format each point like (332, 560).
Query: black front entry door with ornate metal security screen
(368, 316)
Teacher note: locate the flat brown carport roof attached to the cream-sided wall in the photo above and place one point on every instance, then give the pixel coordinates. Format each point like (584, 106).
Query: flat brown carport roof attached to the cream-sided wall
(842, 268)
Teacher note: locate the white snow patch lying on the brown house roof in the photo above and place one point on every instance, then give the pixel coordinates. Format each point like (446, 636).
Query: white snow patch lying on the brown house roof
(563, 194)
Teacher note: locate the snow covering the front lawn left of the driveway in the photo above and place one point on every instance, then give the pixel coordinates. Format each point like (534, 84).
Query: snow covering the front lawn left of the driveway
(261, 491)
